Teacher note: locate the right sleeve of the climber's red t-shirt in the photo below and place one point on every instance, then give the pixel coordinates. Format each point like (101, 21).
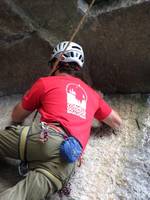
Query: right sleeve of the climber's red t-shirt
(103, 111)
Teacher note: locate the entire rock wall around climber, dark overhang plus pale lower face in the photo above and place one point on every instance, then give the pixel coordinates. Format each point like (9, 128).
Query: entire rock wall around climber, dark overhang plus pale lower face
(116, 42)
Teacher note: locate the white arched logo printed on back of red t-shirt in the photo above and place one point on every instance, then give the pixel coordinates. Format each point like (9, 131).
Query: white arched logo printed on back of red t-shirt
(76, 100)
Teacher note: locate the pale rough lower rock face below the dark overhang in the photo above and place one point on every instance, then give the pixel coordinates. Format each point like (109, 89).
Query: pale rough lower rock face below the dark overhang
(114, 166)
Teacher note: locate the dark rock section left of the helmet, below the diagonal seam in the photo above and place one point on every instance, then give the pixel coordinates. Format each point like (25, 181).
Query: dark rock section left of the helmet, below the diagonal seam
(23, 53)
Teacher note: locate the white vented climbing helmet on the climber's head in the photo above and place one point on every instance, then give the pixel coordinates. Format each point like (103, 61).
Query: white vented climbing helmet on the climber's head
(73, 52)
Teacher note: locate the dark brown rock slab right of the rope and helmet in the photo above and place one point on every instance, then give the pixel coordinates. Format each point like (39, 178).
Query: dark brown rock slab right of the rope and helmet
(118, 48)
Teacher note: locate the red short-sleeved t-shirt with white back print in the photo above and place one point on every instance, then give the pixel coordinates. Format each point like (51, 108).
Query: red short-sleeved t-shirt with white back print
(67, 100)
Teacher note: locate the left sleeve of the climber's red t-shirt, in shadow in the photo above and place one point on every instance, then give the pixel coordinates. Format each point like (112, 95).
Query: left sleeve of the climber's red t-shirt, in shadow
(32, 98)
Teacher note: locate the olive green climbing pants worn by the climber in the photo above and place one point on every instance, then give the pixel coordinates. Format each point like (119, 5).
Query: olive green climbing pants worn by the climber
(47, 171)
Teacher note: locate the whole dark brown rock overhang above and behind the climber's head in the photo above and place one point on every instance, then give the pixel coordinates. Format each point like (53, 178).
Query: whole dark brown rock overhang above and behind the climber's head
(116, 42)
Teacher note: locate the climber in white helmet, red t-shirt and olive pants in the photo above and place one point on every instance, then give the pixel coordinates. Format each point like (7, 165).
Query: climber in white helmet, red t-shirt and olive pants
(52, 147)
